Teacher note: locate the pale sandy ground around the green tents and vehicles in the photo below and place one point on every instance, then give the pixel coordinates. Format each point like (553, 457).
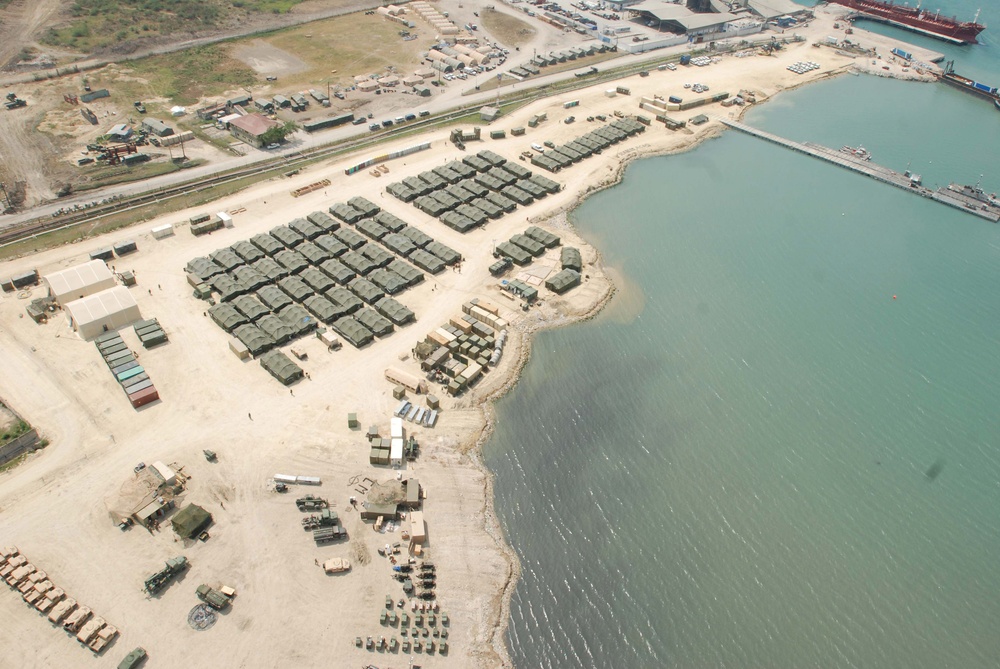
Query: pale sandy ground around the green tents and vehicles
(55, 506)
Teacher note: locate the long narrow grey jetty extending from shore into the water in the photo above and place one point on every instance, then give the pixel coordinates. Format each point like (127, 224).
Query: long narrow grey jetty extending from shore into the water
(910, 183)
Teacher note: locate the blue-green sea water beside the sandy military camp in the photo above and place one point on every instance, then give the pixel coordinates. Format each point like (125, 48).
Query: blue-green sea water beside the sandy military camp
(729, 467)
